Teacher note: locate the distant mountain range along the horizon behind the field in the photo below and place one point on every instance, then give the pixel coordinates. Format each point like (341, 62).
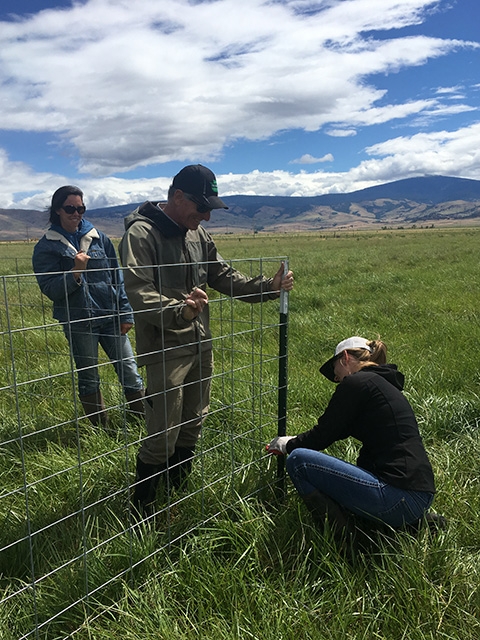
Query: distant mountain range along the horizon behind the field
(421, 202)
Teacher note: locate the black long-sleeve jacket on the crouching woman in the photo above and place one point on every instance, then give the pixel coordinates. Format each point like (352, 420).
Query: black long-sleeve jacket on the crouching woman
(369, 405)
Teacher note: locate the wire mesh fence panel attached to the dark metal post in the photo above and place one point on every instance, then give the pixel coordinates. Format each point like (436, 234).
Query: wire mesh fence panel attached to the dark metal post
(67, 524)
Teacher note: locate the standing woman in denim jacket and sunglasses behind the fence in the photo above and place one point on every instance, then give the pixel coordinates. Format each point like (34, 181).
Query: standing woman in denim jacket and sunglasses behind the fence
(77, 268)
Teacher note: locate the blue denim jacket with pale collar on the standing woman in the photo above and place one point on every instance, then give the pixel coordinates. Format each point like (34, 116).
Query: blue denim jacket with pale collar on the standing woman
(100, 291)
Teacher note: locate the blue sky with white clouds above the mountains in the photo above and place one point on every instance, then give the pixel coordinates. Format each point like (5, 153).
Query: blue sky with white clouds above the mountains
(277, 97)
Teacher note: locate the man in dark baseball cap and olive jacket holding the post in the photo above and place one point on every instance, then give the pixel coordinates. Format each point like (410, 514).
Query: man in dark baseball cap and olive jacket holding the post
(169, 261)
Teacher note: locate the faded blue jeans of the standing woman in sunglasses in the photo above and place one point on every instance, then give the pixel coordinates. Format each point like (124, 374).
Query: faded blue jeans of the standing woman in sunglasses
(84, 338)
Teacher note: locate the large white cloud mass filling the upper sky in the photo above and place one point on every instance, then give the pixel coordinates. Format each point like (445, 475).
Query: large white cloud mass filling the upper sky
(130, 84)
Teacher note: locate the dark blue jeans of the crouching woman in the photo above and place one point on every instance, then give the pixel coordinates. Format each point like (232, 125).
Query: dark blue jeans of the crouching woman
(357, 490)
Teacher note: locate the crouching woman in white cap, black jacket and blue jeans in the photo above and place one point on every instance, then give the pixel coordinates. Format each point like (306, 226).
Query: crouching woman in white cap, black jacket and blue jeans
(392, 482)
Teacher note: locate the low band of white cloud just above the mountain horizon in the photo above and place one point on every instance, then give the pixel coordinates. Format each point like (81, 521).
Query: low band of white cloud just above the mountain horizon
(444, 153)
